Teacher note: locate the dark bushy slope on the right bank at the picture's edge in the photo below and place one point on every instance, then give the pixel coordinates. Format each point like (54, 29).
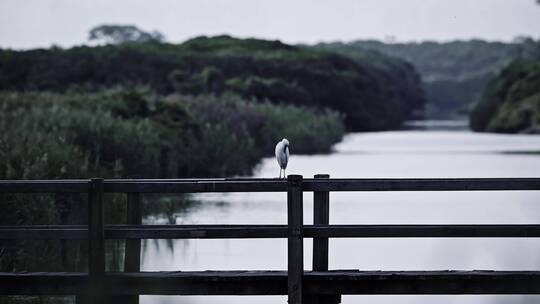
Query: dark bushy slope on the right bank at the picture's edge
(511, 101)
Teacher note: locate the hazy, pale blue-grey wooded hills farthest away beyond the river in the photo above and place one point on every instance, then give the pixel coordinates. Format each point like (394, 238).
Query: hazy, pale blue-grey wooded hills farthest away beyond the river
(454, 74)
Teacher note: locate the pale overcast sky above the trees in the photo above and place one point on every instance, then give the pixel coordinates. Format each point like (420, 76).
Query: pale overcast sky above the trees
(42, 23)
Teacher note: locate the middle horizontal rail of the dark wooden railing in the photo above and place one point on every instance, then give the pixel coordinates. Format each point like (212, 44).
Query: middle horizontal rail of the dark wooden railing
(80, 232)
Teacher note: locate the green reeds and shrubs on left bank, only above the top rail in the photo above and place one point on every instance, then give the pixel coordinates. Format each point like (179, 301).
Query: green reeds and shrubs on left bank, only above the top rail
(137, 133)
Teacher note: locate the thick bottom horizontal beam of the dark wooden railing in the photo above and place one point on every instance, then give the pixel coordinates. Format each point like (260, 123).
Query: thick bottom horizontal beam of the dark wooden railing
(275, 282)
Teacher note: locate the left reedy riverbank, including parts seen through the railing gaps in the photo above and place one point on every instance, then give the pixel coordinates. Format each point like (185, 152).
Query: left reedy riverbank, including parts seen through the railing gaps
(133, 133)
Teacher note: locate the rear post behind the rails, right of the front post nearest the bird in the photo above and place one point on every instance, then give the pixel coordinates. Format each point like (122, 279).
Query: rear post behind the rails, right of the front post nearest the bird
(321, 217)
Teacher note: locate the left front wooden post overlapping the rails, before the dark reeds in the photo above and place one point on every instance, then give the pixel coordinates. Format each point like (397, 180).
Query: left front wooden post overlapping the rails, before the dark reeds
(96, 242)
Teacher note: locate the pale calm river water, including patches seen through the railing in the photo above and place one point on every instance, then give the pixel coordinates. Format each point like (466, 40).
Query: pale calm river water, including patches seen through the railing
(424, 153)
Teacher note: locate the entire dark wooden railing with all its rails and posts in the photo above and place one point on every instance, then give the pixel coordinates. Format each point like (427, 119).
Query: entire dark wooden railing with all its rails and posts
(318, 286)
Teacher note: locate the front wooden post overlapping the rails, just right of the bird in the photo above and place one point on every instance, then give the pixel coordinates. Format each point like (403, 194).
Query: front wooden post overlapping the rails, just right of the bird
(295, 245)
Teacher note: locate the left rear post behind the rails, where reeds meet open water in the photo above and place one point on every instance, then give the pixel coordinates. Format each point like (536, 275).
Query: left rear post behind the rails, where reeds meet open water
(132, 260)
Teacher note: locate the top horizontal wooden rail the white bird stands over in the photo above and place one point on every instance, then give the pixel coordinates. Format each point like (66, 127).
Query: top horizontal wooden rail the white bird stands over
(272, 185)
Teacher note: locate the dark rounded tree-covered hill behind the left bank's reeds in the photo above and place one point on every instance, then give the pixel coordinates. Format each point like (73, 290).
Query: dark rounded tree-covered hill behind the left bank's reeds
(373, 92)
